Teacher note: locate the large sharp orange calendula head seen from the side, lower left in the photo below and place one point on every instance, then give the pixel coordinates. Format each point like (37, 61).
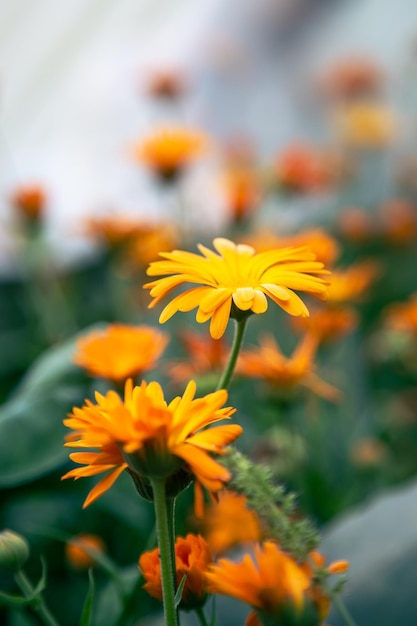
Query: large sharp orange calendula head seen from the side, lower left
(149, 437)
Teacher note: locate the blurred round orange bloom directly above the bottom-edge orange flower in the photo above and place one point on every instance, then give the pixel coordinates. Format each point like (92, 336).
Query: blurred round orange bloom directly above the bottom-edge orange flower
(229, 523)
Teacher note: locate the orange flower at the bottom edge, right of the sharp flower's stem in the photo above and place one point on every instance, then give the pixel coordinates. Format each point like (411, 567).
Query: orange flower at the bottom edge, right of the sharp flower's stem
(269, 582)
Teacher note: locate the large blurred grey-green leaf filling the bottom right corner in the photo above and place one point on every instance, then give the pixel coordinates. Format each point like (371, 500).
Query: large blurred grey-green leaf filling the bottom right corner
(380, 542)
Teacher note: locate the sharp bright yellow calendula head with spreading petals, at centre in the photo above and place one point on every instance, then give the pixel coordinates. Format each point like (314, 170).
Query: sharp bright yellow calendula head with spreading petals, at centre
(235, 281)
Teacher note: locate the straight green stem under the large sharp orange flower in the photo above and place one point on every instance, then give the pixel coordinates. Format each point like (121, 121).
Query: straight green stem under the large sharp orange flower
(164, 535)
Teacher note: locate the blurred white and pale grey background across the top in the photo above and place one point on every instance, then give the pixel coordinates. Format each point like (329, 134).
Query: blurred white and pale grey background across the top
(71, 86)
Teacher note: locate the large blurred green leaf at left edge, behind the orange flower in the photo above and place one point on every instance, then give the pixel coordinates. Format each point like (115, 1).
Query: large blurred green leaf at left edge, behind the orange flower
(31, 429)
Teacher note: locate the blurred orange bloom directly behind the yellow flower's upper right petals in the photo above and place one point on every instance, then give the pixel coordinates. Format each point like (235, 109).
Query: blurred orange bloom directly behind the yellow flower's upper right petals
(317, 240)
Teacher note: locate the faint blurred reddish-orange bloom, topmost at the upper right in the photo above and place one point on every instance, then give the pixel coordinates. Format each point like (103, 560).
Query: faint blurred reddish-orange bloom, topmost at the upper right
(351, 77)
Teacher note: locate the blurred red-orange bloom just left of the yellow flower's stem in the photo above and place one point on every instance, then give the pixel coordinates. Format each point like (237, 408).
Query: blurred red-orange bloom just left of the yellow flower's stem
(205, 355)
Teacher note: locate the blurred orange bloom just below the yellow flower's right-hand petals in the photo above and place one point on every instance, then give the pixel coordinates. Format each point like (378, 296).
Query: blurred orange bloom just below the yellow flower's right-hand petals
(328, 323)
